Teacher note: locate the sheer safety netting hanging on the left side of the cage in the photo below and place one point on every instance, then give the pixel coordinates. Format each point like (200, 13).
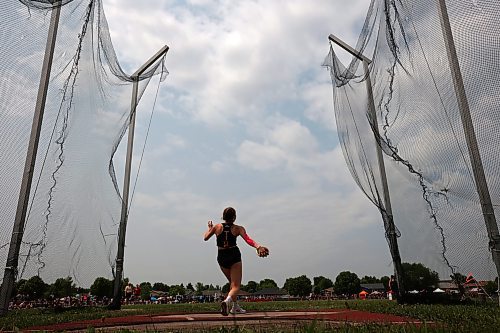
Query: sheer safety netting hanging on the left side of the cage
(73, 214)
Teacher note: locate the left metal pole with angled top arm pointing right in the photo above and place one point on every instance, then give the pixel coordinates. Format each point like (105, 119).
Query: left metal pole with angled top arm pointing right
(117, 286)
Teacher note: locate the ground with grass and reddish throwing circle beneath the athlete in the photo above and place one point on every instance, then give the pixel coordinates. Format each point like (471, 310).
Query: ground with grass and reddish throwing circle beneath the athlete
(297, 316)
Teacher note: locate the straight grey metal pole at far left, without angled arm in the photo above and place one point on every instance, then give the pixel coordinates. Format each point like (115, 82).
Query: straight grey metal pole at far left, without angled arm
(10, 272)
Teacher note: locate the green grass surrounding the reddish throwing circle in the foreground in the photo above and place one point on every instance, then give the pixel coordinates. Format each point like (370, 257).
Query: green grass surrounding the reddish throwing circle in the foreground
(445, 318)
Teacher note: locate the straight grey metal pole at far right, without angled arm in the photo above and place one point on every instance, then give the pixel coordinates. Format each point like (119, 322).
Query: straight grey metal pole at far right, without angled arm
(470, 137)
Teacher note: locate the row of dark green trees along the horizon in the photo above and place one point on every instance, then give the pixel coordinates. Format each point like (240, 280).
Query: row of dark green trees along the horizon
(415, 277)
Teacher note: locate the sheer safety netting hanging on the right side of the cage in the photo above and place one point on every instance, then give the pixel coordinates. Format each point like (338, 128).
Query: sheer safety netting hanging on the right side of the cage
(402, 99)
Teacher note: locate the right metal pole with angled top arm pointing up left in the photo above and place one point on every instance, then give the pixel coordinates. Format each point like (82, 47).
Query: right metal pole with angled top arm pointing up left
(393, 241)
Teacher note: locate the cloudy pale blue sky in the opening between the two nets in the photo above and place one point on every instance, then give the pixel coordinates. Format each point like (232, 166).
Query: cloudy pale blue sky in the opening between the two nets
(244, 119)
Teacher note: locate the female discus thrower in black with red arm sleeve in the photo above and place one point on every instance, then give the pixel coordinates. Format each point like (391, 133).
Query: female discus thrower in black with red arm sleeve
(229, 256)
